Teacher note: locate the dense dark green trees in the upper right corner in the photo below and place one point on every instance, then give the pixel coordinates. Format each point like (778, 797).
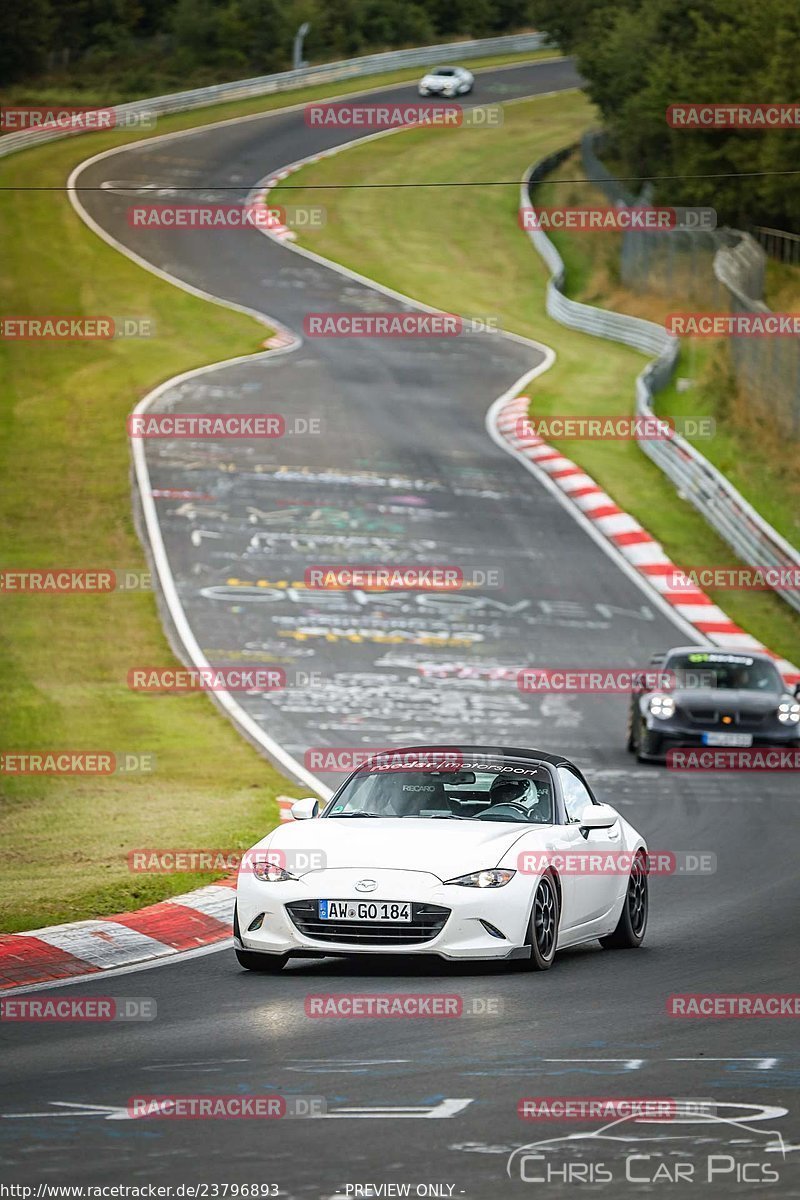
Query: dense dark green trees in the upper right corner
(639, 57)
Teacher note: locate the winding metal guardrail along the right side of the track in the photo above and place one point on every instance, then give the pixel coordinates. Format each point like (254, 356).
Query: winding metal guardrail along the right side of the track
(750, 536)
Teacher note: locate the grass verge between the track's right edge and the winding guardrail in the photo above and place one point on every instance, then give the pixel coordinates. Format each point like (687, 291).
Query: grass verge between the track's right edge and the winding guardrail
(462, 250)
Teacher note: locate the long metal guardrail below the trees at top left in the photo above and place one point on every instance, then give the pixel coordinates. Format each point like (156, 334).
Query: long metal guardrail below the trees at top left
(290, 81)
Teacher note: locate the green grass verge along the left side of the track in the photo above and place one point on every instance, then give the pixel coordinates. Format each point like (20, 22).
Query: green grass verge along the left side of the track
(65, 502)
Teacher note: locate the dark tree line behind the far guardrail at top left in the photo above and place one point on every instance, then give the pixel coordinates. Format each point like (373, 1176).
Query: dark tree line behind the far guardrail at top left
(193, 43)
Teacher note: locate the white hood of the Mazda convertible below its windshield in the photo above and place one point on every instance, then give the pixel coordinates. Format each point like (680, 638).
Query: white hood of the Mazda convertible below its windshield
(444, 849)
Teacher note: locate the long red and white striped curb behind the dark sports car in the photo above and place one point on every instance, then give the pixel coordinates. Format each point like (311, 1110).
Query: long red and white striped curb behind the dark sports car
(630, 539)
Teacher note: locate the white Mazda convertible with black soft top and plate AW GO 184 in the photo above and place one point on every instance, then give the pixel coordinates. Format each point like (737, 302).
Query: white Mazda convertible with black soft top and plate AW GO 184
(504, 855)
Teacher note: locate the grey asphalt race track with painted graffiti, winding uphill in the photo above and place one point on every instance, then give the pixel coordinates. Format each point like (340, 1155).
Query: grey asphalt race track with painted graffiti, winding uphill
(406, 473)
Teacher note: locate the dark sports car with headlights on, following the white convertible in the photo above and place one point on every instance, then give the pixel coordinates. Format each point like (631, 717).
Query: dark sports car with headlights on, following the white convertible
(695, 697)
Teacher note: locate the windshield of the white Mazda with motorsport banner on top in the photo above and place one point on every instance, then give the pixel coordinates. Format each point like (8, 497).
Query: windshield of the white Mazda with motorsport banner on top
(509, 793)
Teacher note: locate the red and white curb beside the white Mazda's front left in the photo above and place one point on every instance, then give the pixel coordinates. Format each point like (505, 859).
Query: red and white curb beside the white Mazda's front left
(91, 947)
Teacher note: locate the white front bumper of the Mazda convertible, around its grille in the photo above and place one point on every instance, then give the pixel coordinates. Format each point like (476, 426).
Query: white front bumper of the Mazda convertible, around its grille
(460, 935)
